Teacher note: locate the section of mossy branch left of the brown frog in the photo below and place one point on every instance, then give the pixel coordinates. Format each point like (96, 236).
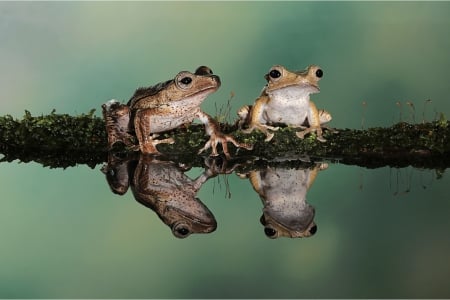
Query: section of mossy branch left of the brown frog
(57, 140)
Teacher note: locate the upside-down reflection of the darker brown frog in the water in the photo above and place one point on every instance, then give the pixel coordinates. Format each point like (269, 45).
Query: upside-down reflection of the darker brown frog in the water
(163, 187)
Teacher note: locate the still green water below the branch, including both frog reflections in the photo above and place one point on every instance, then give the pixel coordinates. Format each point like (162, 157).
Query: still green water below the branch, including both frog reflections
(377, 233)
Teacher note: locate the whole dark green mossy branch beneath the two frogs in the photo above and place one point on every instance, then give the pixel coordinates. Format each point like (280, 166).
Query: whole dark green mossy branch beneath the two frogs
(60, 140)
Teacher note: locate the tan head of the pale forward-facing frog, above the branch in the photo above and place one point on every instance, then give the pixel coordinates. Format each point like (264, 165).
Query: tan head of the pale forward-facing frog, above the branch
(279, 78)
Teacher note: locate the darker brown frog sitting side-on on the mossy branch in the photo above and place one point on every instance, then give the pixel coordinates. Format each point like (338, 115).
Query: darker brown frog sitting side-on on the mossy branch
(163, 107)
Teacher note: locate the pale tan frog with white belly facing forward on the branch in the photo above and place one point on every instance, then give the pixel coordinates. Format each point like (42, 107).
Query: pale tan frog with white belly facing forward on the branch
(285, 99)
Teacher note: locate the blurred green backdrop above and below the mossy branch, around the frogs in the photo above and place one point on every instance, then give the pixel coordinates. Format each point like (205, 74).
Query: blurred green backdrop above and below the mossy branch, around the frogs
(382, 233)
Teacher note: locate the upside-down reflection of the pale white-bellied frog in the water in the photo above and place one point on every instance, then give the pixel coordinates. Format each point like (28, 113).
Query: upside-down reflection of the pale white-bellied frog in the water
(283, 193)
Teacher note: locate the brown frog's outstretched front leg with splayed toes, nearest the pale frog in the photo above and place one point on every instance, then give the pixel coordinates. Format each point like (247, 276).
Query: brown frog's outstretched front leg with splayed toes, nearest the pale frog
(216, 136)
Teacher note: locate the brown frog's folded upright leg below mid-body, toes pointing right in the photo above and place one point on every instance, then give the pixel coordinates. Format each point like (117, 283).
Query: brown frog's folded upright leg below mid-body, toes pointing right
(142, 126)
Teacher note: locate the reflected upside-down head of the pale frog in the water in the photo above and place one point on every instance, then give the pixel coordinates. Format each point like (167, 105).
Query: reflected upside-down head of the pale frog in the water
(278, 224)
